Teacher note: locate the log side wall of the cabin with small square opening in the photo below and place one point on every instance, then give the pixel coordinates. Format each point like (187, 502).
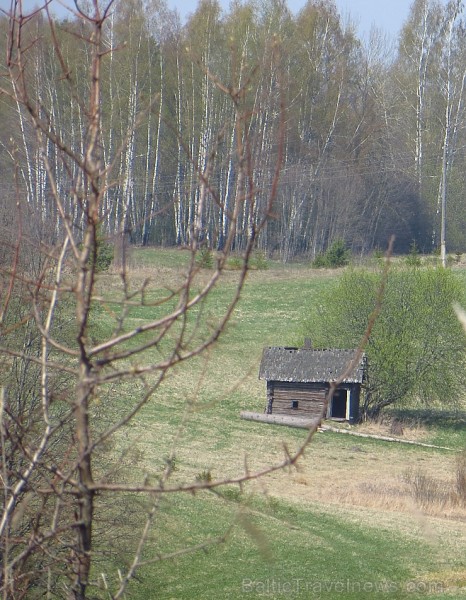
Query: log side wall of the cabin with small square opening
(309, 397)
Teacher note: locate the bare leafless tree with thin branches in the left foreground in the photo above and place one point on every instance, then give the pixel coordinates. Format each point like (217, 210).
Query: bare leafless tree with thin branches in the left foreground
(55, 417)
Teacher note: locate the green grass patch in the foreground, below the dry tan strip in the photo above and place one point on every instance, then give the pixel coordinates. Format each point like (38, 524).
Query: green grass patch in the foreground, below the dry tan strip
(277, 548)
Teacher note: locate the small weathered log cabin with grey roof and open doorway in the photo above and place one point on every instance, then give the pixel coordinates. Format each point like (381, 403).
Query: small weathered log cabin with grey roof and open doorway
(298, 380)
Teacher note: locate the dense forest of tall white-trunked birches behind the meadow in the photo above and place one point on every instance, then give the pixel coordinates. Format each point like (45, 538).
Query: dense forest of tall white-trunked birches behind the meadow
(369, 135)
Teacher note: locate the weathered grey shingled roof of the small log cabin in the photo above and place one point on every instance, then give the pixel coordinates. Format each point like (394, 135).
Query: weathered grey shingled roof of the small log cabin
(305, 365)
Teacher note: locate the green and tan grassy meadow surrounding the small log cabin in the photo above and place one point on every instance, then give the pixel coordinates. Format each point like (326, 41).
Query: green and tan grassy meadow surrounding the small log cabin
(358, 517)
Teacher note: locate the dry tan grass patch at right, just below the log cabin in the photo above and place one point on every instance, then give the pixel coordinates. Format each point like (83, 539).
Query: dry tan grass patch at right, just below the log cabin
(392, 479)
